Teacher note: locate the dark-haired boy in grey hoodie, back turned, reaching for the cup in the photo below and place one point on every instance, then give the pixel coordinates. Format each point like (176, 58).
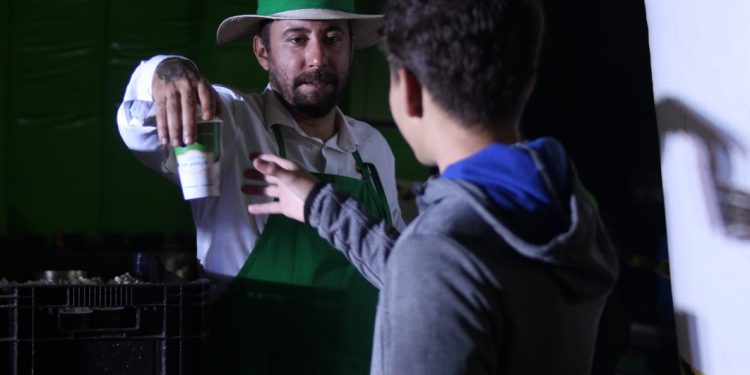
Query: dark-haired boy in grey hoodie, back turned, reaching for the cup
(507, 268)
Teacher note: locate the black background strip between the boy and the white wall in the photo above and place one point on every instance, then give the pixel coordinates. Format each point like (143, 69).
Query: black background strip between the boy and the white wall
(594, 94)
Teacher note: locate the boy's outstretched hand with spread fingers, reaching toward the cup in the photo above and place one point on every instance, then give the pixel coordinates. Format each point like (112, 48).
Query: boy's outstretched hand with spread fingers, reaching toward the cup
(286, 181)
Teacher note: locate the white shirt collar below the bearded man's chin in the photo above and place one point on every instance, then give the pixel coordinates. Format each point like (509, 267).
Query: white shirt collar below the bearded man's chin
(276, 114)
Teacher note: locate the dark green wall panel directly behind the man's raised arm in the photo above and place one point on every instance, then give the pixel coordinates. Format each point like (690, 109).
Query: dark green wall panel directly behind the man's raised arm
(136, 199)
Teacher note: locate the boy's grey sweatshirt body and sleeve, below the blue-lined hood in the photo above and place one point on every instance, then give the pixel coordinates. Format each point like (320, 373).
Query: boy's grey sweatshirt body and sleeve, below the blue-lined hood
(460, 293)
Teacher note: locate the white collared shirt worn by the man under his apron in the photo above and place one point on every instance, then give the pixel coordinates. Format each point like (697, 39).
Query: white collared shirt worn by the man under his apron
(226, 232)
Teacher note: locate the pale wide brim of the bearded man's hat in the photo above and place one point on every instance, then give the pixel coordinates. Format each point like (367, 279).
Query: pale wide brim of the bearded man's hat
(366, 28)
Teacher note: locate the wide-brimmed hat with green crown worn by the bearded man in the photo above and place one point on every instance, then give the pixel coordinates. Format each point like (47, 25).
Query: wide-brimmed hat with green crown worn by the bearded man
(365, 27)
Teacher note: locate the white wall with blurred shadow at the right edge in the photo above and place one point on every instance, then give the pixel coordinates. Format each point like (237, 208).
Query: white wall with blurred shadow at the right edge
(700, 52)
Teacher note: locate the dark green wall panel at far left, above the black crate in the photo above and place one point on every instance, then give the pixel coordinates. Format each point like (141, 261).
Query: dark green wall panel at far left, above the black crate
(53, 154)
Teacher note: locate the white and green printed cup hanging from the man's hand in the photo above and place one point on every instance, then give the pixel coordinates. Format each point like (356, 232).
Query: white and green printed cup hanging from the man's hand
(198, 163)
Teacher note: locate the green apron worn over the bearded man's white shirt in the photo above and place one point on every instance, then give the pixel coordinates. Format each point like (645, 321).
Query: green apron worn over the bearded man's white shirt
(297, 305)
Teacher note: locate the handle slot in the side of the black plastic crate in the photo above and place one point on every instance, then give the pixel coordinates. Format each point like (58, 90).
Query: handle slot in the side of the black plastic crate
(98, 319)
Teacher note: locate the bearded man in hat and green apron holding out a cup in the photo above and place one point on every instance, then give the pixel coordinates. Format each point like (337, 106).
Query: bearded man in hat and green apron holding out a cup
(286, 301)
